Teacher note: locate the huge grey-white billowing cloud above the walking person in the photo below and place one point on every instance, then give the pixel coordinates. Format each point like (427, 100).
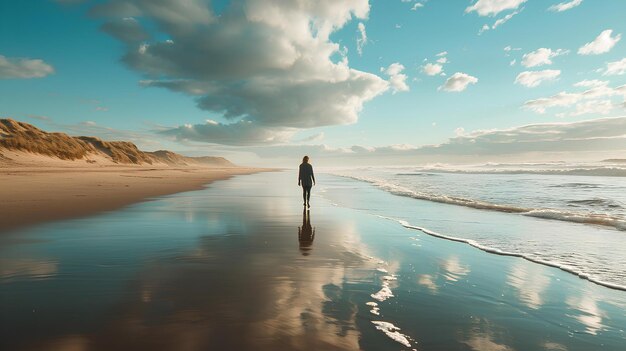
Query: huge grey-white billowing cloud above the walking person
(263, 65)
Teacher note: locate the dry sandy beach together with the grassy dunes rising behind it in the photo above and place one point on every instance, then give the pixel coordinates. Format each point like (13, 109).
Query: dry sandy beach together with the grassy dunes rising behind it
(48, 176)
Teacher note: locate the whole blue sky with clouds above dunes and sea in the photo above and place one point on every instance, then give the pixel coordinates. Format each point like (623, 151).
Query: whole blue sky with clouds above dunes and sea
(380, 82)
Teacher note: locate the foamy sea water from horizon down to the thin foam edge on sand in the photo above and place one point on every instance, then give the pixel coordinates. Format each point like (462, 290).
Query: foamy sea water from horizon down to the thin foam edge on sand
(583, 231)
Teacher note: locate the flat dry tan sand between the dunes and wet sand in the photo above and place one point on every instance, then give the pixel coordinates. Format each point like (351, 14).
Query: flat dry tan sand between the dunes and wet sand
(34, 195)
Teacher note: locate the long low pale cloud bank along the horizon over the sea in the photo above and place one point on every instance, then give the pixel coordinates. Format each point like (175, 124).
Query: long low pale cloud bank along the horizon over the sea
(596, 135)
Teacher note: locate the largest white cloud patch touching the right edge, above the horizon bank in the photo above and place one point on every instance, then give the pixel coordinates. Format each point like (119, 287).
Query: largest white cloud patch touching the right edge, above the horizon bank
(587, 101)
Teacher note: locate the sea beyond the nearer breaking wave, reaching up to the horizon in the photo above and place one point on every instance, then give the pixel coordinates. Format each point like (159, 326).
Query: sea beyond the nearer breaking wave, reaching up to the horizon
(538, 191)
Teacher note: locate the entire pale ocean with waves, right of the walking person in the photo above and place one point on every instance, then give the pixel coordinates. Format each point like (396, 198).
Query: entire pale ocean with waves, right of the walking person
(590, 197)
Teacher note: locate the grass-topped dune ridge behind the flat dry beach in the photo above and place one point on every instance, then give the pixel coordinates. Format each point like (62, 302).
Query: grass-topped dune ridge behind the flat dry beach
(24, 137)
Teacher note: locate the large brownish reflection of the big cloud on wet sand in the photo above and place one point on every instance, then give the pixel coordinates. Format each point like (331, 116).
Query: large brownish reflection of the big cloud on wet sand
(228, 291)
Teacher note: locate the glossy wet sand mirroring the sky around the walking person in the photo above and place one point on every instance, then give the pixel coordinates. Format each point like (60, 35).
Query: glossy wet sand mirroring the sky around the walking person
(236, 266)
